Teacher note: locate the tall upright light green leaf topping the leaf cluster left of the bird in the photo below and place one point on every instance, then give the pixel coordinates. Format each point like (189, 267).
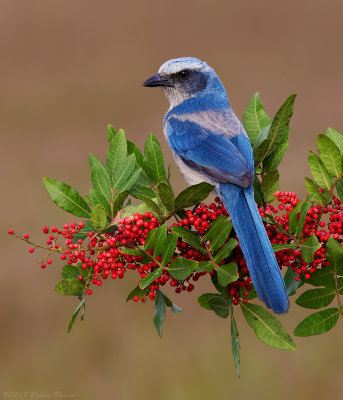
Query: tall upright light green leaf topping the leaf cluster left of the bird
(116, 155)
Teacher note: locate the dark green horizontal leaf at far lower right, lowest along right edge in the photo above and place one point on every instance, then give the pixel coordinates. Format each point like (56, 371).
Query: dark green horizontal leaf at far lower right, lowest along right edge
(317, 323)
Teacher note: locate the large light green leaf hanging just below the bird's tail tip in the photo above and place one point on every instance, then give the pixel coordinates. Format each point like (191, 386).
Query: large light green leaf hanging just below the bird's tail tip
(267, 327)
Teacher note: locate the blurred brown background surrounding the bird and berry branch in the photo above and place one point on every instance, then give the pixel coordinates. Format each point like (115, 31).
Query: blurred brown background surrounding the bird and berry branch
(67, 69)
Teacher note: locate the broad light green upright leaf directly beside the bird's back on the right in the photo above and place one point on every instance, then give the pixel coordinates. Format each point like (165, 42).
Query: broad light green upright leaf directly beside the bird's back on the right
(255, 118)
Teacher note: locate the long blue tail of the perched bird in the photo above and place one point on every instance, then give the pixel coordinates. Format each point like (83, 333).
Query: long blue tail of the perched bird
(255, 245)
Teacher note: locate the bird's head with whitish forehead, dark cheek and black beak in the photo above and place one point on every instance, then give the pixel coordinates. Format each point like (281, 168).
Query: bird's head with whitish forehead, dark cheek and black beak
(184, 78)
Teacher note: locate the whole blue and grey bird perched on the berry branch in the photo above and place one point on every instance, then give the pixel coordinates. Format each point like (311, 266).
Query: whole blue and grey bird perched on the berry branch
(209, 144)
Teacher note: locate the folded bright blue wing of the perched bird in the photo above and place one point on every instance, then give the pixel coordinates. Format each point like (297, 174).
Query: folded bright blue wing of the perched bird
(211, 153)
